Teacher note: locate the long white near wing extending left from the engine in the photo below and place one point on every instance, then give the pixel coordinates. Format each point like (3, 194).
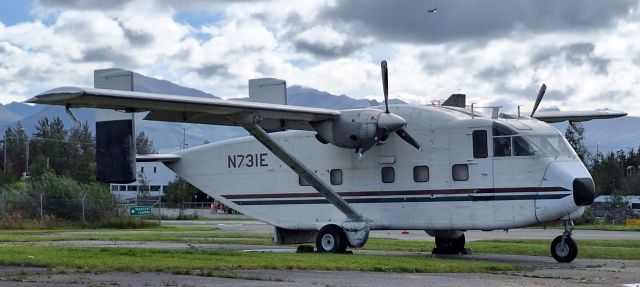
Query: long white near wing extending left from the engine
(186, 109)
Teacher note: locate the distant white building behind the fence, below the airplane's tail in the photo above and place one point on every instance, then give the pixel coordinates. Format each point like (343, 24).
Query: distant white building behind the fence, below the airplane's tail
(157, 177)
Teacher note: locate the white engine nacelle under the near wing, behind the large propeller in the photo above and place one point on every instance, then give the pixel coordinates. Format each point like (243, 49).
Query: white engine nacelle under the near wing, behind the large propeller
(353, 129)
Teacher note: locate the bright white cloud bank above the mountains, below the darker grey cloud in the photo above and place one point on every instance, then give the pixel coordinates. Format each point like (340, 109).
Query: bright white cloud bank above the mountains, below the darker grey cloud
(258, 39)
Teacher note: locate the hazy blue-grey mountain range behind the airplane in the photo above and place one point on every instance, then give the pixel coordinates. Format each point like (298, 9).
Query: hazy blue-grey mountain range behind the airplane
(603, 135)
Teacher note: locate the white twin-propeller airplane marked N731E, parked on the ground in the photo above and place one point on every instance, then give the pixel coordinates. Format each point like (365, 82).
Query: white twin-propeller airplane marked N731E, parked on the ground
(330, 176)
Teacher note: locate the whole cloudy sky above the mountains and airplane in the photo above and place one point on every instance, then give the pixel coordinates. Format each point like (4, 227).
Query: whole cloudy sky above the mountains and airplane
(497, 52)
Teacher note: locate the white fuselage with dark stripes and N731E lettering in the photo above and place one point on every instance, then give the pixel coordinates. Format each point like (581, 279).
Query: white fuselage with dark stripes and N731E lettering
(499, 192)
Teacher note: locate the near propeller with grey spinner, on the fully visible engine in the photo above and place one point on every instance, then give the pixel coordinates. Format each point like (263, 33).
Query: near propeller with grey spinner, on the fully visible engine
(388, 122)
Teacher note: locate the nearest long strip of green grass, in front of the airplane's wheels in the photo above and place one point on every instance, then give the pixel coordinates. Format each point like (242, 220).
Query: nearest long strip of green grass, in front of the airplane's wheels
(178, 261)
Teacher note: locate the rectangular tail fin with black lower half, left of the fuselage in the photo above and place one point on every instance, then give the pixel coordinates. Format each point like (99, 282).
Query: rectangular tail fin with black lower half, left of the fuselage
(115, 141)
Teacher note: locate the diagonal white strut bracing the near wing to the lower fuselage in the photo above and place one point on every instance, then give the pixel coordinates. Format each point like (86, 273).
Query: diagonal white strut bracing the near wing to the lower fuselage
(251, 124)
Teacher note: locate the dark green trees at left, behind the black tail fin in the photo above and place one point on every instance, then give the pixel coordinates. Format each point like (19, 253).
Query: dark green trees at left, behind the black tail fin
(69, 153)
